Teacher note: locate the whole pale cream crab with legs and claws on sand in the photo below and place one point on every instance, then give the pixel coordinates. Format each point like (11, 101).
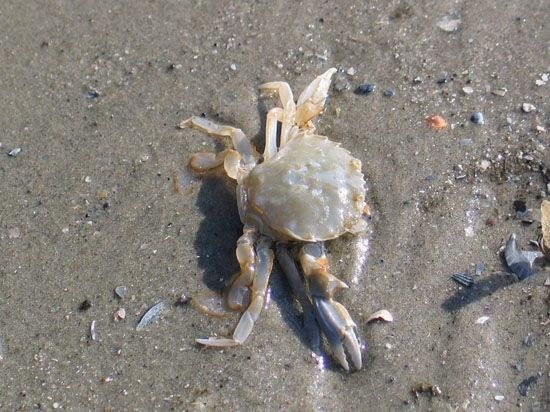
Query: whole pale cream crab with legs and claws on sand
(293, 198)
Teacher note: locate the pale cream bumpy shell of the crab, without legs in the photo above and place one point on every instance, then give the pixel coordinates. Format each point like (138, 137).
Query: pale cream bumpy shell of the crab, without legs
(311, 190)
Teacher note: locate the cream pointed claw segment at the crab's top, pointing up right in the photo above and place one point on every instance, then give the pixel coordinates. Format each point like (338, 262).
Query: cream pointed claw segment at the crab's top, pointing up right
(312, 100)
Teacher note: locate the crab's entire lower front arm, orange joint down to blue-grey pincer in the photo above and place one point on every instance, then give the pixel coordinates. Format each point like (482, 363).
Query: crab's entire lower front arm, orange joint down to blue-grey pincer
(334, 319)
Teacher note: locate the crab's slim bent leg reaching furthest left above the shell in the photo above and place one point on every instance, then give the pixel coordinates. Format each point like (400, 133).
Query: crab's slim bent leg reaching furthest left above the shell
(239, 140)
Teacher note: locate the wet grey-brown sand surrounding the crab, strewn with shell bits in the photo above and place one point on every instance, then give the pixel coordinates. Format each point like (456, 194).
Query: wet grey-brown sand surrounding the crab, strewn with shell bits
(92, 93)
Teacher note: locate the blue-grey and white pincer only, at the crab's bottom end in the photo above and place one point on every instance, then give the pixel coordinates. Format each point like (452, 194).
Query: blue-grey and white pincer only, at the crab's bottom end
(340, 330)
